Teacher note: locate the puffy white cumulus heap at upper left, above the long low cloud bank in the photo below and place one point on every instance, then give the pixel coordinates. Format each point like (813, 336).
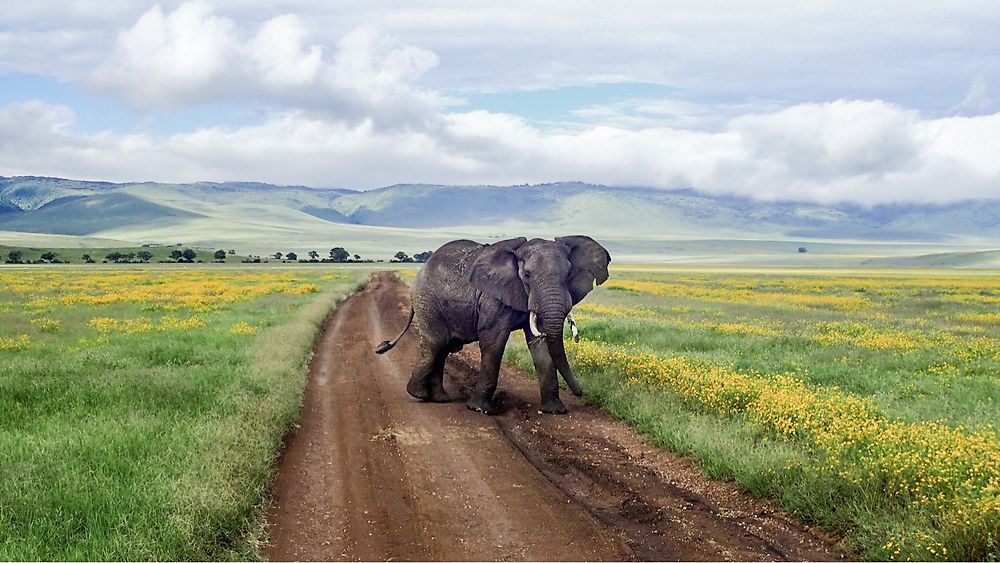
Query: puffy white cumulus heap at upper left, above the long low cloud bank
(170, 60)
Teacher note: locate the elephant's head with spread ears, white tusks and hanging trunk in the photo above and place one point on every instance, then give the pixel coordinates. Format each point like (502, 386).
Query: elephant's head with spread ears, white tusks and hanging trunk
(545, 279)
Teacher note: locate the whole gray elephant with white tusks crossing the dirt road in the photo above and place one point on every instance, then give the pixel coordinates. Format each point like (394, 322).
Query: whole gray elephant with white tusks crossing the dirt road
(469, 291)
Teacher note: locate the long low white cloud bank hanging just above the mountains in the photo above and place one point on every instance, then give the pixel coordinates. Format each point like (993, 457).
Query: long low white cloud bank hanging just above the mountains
(863, 152)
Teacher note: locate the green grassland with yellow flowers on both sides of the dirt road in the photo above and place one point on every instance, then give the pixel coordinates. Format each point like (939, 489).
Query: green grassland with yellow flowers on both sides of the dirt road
(142, 409)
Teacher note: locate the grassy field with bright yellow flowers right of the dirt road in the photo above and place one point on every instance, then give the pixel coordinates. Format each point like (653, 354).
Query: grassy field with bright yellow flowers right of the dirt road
(865, 402)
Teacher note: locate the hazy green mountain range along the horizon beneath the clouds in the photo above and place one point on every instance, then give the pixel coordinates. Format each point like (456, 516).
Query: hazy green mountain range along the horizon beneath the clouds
(264, 218)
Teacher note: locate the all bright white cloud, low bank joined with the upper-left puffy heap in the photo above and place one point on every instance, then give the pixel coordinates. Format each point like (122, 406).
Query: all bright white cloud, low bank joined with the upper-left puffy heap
(357, 115)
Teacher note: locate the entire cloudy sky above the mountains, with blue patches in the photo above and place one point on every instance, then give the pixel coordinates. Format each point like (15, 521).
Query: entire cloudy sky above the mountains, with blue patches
(832, 102)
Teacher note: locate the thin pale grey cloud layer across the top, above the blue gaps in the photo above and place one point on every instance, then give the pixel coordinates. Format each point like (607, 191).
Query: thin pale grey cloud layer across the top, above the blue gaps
(922, 54)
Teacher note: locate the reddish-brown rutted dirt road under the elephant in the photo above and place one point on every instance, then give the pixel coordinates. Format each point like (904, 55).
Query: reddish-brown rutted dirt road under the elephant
(372, 474)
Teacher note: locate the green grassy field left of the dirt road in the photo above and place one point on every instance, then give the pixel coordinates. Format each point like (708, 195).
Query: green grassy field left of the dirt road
(141, 409)
